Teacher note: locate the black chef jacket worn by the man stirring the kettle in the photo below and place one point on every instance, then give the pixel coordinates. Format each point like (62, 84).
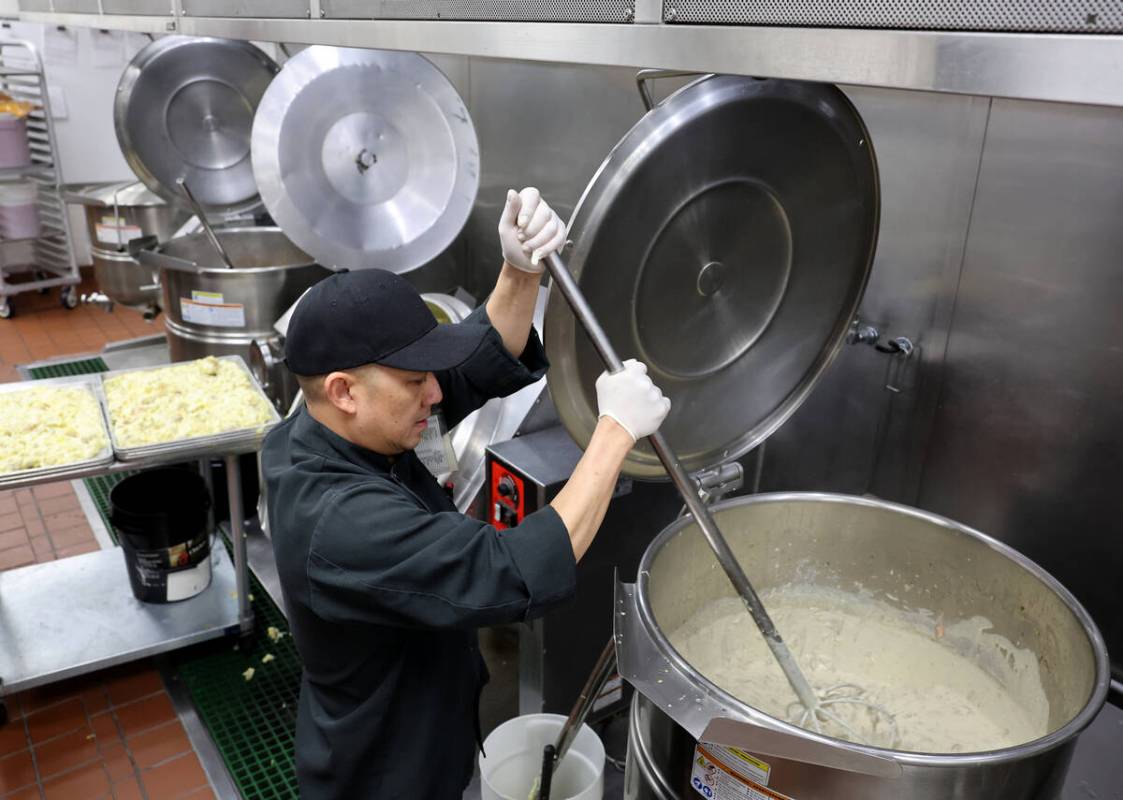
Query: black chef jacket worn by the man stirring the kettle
(386, 586)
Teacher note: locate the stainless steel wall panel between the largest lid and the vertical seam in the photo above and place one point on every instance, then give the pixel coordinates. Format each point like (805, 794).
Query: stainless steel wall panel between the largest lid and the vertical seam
(854, 434)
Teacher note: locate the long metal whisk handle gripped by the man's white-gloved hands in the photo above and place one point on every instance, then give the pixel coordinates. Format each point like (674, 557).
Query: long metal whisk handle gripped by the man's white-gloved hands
(682, 480)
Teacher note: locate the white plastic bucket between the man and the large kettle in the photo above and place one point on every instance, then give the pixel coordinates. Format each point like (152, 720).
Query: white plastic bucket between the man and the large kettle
(515, 760)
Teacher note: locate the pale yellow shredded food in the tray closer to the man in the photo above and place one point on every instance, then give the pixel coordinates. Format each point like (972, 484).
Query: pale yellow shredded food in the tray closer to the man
(199, 398)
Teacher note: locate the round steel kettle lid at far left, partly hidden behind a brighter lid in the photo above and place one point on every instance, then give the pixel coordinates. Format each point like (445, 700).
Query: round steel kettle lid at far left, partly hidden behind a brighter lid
(185, 108)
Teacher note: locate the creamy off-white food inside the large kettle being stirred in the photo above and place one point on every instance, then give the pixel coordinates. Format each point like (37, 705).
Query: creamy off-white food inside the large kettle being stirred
(928, 676)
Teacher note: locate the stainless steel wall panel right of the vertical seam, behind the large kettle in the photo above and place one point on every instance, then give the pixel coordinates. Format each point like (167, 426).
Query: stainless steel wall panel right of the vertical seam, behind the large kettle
(1028, 442)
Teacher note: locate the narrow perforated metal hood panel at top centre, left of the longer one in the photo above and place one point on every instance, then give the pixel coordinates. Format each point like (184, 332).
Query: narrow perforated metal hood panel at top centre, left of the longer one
(509, 11)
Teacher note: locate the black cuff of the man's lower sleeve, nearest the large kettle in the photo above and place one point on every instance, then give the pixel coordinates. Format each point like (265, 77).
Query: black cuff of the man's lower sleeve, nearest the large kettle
(542, 551)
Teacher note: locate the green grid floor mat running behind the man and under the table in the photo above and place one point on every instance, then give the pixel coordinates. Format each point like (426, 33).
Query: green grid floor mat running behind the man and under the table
(252, 722)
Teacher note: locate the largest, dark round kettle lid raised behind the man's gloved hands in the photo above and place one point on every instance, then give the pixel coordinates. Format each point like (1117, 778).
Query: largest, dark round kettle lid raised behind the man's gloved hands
(726, 242)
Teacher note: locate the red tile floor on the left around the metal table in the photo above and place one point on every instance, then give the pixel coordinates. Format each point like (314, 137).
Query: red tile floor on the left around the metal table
(113, 734)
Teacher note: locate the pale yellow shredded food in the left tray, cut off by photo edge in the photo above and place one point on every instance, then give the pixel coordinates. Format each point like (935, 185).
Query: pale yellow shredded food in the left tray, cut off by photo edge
(49, 426)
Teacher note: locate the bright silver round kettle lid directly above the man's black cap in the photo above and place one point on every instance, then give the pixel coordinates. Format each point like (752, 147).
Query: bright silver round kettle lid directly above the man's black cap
(367, 159)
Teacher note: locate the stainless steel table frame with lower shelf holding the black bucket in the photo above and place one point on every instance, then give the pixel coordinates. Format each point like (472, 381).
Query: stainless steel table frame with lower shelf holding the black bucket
(78, 615)
